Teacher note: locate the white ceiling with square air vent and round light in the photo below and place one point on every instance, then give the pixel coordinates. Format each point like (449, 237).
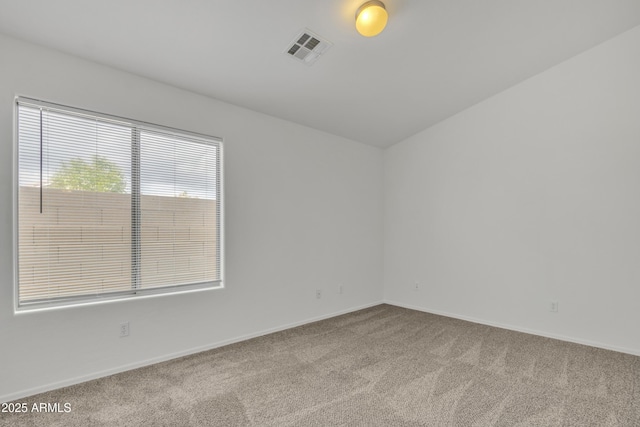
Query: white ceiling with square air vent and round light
(434, 59)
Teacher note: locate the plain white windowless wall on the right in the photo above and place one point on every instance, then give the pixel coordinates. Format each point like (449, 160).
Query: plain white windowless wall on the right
(529, 197)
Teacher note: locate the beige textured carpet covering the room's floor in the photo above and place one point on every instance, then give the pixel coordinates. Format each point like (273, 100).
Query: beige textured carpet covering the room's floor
(383, 366)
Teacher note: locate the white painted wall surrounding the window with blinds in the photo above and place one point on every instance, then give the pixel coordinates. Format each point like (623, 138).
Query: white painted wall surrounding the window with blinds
(303, 212)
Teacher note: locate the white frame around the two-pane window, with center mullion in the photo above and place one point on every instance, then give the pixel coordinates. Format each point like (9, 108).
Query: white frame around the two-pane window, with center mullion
(135, 292)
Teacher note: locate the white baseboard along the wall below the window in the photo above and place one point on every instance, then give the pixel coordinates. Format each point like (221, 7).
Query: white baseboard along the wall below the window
(77, 380)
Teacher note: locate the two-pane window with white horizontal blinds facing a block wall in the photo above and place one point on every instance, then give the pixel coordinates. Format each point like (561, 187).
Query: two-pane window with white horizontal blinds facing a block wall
(113, 208)
